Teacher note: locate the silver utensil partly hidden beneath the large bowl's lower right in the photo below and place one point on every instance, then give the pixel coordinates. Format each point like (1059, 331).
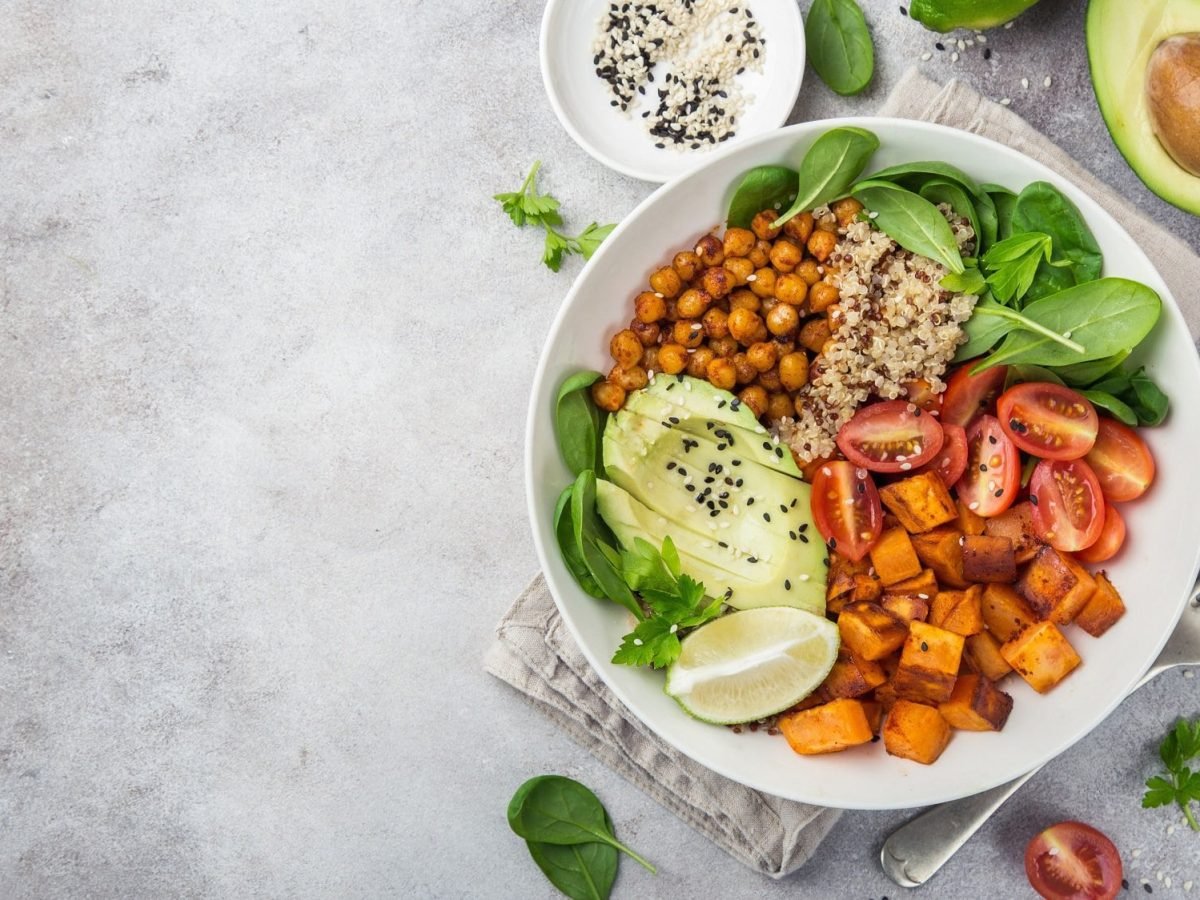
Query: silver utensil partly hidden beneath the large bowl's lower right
(917, 850)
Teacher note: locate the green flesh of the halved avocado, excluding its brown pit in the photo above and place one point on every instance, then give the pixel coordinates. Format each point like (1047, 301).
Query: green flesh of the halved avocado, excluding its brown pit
(1123, 40)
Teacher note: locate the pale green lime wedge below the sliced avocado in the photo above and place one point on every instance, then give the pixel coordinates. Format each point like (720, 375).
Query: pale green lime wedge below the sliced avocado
(753, 664)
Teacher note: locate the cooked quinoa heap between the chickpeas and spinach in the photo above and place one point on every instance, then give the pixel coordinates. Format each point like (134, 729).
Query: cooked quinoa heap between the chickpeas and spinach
(893, 326)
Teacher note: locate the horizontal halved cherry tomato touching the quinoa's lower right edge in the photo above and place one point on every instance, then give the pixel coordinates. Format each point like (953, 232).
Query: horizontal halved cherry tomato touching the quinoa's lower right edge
(893, 436)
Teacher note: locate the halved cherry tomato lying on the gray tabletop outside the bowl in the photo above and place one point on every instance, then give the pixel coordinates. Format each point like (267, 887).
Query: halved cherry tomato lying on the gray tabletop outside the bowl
(1072, 861)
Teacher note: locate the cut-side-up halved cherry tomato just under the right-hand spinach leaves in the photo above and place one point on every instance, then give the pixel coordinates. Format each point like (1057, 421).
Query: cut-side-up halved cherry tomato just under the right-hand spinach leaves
(1048, 421)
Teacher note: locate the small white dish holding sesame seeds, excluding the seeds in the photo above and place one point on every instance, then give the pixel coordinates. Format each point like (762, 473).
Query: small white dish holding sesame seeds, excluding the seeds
(620, 141)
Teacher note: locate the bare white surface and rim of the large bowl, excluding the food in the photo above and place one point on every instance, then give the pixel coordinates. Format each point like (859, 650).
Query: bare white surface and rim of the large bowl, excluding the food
(1154, 573)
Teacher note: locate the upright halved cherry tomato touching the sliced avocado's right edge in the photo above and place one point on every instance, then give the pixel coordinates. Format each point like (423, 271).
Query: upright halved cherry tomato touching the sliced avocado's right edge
(847, 508)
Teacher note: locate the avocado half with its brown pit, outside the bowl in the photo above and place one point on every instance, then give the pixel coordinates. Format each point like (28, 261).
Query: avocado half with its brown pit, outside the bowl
(1145, 62)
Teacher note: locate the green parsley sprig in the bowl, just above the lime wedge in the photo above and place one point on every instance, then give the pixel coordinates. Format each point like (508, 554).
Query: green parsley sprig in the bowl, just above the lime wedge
(675, 601)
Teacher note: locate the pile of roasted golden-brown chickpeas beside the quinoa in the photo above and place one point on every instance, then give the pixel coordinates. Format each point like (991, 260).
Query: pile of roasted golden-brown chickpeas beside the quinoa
(747, 313)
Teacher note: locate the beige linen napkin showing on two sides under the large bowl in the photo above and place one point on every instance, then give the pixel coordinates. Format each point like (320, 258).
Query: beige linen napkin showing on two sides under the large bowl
(535, 653)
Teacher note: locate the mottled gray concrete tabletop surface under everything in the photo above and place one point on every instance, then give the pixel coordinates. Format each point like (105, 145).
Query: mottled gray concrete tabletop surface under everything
(267, 344)
